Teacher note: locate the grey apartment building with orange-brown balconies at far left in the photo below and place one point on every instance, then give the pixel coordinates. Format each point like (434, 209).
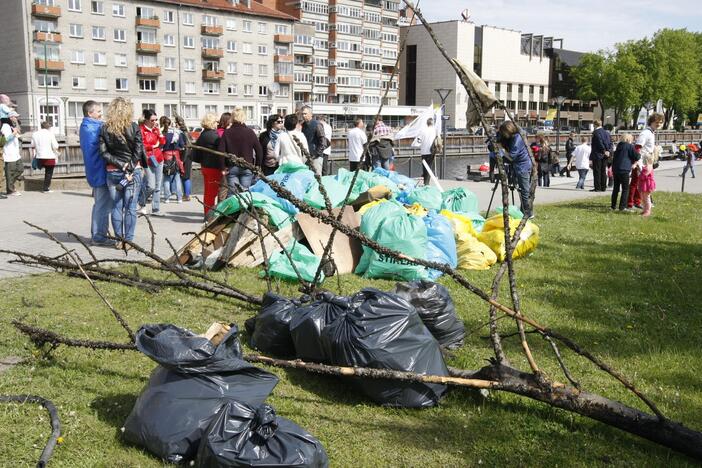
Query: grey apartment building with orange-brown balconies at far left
(173, 56)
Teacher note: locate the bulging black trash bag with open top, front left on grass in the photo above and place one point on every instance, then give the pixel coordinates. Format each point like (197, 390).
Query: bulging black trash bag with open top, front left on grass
(195, 379)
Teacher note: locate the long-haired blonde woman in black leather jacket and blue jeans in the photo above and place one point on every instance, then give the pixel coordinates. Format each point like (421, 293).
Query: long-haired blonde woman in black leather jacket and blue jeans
(122, 149)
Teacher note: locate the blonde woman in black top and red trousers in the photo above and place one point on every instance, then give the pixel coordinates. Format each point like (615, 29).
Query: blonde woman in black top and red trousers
(212, 165)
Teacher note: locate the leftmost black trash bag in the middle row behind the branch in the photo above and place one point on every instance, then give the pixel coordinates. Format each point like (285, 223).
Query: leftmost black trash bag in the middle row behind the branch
(270, 329)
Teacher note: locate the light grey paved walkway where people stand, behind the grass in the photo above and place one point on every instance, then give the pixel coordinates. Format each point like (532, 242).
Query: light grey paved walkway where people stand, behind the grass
(60, 212)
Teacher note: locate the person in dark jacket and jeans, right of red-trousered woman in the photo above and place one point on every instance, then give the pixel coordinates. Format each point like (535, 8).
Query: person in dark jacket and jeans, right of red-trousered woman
(241, 141)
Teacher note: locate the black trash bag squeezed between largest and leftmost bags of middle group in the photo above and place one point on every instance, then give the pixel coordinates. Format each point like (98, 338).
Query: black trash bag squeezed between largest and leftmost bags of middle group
(308, 322)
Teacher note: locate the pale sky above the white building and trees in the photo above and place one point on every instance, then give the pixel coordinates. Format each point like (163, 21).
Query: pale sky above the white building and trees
(584, 25)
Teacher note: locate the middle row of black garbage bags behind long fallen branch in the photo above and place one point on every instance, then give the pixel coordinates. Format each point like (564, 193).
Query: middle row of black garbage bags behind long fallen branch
(401, 330)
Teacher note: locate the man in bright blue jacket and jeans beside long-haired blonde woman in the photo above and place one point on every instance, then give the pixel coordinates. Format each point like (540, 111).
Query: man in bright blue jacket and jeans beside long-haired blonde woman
(96, 173)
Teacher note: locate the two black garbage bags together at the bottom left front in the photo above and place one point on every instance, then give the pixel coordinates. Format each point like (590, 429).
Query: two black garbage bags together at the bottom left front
(205, 403)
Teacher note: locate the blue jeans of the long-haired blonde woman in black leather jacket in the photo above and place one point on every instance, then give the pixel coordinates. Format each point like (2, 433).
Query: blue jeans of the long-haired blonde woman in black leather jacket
(124, 203)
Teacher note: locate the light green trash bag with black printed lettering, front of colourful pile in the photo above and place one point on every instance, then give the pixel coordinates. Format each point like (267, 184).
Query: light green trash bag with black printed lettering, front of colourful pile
(404, 233)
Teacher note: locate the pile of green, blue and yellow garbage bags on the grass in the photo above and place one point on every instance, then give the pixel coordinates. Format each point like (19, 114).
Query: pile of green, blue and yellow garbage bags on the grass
(420, 222)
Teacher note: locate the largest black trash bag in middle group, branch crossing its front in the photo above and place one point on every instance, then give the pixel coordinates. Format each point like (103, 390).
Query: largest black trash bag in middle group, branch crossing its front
(383, 331)
